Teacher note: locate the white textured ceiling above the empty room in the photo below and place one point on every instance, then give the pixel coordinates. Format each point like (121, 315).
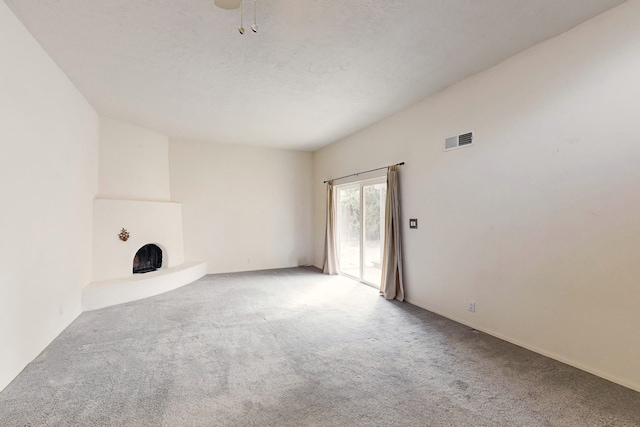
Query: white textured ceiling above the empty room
(315, 72)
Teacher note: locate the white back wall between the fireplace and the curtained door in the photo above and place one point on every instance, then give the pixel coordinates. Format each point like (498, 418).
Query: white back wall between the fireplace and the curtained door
(243, 208)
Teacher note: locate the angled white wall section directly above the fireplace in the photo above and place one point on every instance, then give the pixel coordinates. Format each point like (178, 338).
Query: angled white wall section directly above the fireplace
(134, 162)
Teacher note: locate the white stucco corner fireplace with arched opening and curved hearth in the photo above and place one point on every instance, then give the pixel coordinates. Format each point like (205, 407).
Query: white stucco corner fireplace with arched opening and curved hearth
(155, 247)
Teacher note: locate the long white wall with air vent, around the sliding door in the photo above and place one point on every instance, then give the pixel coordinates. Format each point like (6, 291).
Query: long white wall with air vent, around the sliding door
(539, 223)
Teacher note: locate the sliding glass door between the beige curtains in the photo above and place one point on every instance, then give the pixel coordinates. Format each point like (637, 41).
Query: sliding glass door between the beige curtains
(360, 231)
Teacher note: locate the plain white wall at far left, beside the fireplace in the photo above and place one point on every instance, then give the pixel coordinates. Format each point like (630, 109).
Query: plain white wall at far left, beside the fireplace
(48, 178)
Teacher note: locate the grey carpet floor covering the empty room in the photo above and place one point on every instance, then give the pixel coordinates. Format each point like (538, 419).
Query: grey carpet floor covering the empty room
(295, 348)
